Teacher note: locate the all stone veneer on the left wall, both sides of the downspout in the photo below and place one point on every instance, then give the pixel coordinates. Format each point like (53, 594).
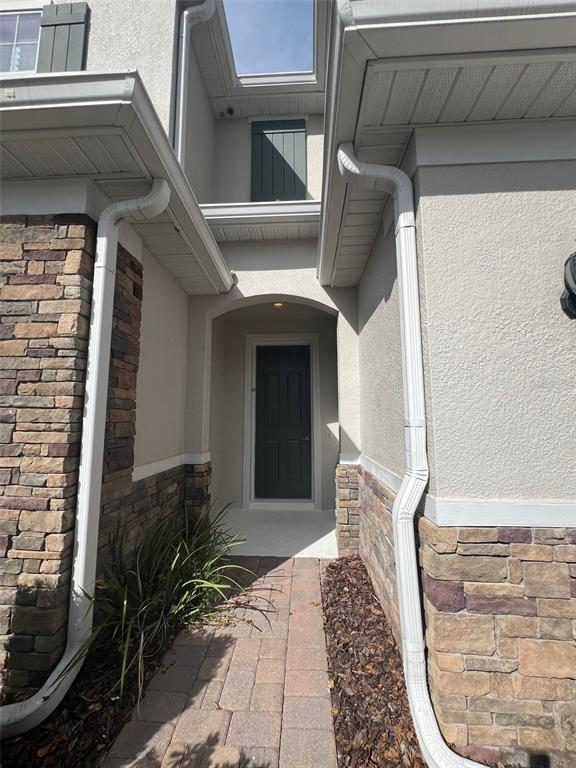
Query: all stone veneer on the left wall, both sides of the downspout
(46, 266)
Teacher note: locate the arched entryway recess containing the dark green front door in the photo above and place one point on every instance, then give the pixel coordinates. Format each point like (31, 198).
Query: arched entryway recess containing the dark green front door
(274, 431)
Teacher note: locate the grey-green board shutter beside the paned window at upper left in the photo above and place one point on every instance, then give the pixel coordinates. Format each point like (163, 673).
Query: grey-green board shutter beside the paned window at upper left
(62, 46)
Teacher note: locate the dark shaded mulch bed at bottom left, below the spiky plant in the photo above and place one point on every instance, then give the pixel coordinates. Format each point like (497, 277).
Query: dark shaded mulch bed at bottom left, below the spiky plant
(86, 723)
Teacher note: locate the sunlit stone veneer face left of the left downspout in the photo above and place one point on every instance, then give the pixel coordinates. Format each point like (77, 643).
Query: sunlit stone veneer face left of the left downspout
(45, 290)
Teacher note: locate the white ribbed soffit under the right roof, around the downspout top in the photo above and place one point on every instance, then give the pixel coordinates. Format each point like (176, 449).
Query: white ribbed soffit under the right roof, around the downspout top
(401, 95)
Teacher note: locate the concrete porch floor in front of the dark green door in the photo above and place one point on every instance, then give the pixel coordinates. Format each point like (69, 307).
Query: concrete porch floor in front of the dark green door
(284, 533)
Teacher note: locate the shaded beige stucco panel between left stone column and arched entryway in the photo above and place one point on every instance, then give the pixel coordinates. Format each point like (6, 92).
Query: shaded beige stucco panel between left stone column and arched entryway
(162, 374)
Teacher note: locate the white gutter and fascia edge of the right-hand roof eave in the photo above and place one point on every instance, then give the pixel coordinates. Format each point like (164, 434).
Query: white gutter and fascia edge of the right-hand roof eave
(360, 34)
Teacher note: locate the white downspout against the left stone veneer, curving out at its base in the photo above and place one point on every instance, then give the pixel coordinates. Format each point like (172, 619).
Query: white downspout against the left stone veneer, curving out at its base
(22, 716)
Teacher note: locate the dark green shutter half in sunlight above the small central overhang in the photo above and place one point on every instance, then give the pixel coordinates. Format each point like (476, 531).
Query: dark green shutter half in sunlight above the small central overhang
(278, 160)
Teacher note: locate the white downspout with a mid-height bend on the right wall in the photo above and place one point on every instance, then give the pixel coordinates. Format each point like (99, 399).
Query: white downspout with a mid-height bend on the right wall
(398, 184)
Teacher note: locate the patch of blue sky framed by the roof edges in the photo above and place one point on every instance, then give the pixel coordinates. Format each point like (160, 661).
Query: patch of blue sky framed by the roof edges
(270, 36)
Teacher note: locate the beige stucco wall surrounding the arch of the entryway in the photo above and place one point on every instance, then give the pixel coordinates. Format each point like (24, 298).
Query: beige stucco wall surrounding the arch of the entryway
(266, 271)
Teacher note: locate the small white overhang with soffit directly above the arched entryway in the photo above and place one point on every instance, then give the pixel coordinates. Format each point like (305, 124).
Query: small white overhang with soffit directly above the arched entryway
(236, 222)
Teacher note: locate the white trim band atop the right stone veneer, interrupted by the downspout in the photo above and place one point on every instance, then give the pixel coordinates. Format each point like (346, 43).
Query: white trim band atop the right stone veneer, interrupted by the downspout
(522, 513)
